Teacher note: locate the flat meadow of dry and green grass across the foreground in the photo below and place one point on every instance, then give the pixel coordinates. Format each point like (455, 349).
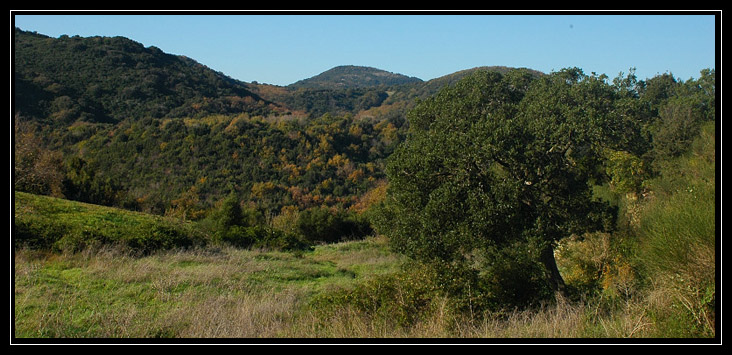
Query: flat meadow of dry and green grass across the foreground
(242, 295)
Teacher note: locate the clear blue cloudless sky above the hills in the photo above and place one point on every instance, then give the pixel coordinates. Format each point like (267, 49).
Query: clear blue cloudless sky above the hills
(282, 49)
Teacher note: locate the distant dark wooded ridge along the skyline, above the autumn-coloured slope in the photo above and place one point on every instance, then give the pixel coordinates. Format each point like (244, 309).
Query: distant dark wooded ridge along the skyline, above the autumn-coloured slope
(60, 81)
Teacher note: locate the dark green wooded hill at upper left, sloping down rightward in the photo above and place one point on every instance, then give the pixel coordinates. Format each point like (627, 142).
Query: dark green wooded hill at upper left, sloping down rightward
(108, 79)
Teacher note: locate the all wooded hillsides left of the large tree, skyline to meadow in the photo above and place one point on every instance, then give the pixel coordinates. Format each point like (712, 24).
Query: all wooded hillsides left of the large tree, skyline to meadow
(98, 102)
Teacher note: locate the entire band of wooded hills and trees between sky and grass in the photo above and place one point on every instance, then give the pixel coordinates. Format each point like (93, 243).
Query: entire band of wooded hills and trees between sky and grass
(486, 175)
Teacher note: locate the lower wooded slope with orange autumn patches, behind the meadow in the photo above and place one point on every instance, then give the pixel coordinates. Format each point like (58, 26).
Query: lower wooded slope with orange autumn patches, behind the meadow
(327, 161)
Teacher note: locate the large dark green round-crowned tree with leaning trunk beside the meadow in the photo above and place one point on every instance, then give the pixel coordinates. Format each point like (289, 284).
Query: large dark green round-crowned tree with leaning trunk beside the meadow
(497, 161)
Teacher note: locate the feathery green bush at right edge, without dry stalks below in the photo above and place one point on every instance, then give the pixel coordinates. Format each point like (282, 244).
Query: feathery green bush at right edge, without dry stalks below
(679, 224)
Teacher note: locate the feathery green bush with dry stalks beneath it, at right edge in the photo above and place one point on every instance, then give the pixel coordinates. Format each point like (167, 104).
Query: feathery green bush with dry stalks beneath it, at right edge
(677, 236)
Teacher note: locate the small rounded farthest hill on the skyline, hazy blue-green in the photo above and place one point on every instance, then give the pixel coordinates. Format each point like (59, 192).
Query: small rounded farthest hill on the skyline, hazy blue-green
(353, 77)
